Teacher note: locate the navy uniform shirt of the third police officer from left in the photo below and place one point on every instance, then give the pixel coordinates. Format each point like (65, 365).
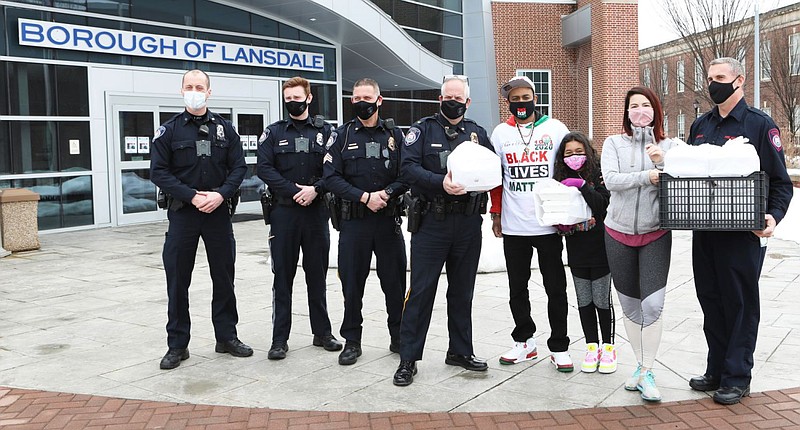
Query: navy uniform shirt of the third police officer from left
(363, 159)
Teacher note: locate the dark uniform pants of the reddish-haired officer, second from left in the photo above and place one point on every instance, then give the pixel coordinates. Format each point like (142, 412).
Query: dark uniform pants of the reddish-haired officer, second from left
(292, 228)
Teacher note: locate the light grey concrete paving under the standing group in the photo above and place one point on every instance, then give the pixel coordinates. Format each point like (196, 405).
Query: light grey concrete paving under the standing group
(86, 315)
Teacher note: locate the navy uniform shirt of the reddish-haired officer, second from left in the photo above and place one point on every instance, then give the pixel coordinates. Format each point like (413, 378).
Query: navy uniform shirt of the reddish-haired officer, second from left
(291, 152)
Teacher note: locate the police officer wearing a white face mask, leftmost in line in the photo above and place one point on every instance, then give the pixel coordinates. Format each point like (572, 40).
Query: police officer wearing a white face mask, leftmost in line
(197, 161)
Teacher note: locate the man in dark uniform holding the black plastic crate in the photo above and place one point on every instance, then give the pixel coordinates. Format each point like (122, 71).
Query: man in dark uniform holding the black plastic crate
(727, 264)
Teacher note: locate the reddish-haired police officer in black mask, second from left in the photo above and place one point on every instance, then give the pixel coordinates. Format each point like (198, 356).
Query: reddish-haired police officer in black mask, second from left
(290, 154)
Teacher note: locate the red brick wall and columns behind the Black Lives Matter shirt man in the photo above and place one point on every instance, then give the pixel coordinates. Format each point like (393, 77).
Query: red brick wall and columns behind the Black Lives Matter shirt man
(528, 36)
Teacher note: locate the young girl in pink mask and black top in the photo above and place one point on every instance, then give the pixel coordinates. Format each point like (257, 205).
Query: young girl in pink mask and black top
(577, 165)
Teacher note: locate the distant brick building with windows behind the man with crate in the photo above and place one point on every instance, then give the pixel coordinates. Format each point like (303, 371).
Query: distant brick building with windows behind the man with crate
(677, 74)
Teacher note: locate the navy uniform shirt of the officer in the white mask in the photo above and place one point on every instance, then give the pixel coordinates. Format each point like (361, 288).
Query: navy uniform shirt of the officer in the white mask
(179, 161)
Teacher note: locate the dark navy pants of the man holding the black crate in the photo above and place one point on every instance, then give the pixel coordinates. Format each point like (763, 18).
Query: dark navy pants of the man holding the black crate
(726, 268)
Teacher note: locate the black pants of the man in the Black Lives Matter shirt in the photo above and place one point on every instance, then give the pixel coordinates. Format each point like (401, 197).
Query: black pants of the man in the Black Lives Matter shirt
(518, 252)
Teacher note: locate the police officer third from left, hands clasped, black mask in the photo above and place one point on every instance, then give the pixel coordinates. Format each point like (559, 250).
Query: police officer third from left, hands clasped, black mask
(362, 169)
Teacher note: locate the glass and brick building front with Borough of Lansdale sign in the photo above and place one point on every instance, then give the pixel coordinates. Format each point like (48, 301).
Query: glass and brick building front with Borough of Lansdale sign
(86, 82)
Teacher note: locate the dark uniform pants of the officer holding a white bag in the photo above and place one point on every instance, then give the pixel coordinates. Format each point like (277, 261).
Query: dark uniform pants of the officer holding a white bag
(454, 243)
